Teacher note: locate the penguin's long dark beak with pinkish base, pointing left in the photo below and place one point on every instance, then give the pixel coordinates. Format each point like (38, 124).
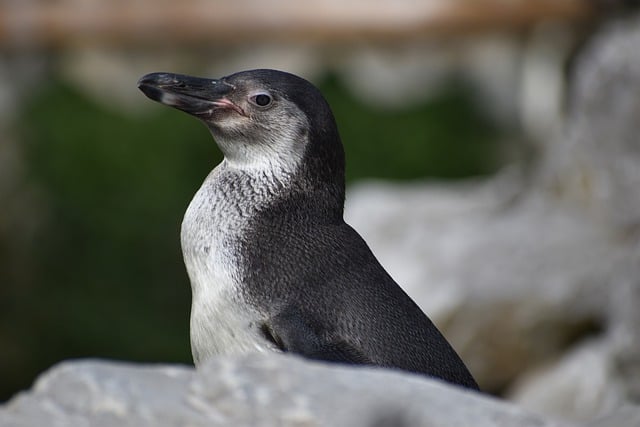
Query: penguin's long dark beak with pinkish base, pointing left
(197, 96)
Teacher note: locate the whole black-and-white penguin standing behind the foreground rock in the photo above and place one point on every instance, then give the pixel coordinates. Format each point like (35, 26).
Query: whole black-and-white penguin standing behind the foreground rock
(272, 264)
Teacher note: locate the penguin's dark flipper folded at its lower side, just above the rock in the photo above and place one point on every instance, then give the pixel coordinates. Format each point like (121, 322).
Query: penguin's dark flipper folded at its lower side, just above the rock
(293, 332)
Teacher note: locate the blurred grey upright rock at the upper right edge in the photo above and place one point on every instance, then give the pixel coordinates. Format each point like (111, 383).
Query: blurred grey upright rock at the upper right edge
(595, 163)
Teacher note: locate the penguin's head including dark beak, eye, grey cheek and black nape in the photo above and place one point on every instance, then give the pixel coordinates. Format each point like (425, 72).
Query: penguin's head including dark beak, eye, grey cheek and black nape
(260, 119)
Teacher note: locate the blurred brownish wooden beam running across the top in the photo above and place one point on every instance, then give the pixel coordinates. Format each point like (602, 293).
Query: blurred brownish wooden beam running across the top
(61, 23)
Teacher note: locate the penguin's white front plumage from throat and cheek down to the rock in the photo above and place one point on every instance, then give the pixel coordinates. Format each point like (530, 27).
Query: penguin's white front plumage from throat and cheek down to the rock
(247, 180)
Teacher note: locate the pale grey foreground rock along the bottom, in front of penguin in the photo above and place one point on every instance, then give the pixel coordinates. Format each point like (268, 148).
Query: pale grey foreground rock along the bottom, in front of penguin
(260, 390)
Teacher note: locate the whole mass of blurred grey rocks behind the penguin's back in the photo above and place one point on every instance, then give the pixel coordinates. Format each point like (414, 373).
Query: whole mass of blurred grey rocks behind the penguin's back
(535, 278)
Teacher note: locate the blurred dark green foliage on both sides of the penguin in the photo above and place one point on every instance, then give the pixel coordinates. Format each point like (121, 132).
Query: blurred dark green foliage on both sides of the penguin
(107, 278)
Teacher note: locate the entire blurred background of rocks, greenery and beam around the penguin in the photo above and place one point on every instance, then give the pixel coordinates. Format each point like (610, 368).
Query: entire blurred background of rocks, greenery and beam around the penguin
(493, 162)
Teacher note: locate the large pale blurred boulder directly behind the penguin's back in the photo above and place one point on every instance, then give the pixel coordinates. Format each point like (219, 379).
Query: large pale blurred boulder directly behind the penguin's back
(512, 283)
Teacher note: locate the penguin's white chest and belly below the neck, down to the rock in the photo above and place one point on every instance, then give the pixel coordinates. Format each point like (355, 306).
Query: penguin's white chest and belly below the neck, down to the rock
(221, 321)
